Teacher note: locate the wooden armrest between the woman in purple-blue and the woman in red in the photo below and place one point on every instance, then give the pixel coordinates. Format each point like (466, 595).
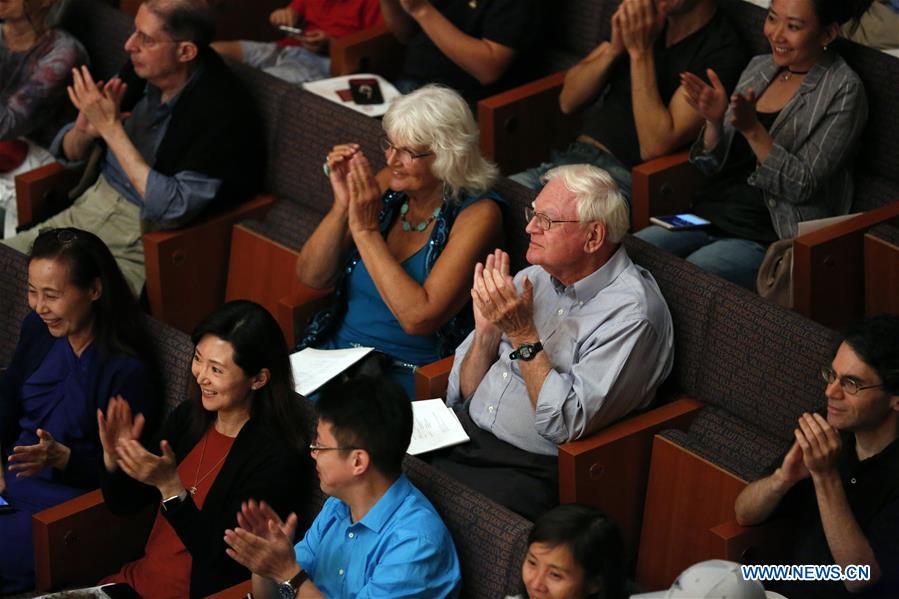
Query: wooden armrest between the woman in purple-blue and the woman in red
(80, 541)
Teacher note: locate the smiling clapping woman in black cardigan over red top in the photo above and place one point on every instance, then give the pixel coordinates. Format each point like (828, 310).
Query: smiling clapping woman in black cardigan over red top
(240, 435)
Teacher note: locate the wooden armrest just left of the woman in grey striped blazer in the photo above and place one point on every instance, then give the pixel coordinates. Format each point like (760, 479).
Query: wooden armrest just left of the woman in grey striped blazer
(662, 186)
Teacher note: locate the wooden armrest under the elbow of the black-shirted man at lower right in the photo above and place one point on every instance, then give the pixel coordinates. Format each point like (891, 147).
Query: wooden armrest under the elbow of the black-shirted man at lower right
(763, 544)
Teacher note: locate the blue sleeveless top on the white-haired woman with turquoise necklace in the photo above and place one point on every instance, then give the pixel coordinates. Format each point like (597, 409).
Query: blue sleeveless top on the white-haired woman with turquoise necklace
(360, 317)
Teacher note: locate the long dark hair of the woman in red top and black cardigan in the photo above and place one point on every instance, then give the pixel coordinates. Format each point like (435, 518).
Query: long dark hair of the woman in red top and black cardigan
(258, 343)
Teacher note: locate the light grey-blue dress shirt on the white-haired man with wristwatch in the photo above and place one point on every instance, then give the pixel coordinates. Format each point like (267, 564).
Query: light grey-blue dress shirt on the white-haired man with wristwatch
(610, 340)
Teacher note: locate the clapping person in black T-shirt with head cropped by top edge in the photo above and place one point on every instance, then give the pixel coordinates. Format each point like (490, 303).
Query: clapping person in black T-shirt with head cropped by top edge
(630, 85)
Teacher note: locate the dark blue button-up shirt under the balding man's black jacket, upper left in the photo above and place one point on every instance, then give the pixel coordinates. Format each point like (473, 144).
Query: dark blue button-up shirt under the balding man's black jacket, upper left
(169, 201)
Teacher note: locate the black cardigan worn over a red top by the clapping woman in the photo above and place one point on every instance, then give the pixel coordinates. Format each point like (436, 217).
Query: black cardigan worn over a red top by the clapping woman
(261, 465)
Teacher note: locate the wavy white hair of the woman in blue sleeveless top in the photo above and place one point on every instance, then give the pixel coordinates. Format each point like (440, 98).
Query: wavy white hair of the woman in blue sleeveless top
(438, 118)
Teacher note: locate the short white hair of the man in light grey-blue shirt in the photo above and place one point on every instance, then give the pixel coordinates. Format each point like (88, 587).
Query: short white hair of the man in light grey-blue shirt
(597, 196)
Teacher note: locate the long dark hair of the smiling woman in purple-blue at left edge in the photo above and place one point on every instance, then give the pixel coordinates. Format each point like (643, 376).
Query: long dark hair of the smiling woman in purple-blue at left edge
(118, 323)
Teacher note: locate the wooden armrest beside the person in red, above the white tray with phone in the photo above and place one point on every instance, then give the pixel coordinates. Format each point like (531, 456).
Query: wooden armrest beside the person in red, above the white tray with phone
(372, 50)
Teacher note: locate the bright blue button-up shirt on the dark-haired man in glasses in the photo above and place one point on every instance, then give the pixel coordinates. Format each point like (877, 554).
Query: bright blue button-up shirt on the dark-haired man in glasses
(401, 548)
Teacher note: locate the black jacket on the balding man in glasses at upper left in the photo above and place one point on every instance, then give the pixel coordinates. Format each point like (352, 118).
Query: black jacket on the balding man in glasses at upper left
(214, 130)
